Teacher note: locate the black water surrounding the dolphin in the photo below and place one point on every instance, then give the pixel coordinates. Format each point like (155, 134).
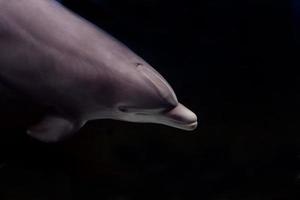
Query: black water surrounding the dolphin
(232, 62)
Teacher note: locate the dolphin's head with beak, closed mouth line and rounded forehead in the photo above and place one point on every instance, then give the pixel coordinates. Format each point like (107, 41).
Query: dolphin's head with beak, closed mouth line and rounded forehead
(146, 97)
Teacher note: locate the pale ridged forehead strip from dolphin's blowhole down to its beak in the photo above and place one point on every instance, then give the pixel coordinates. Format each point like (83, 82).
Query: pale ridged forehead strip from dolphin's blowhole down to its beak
(161, 86)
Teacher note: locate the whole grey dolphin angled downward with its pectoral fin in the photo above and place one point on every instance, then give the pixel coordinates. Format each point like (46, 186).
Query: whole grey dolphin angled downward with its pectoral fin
(62, 61)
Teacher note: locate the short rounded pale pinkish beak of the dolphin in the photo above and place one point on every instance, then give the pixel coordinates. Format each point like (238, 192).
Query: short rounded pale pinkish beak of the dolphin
(181, 117)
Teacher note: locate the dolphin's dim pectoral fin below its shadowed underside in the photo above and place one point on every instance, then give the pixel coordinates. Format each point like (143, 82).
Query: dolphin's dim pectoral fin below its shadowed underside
(54, 128)
